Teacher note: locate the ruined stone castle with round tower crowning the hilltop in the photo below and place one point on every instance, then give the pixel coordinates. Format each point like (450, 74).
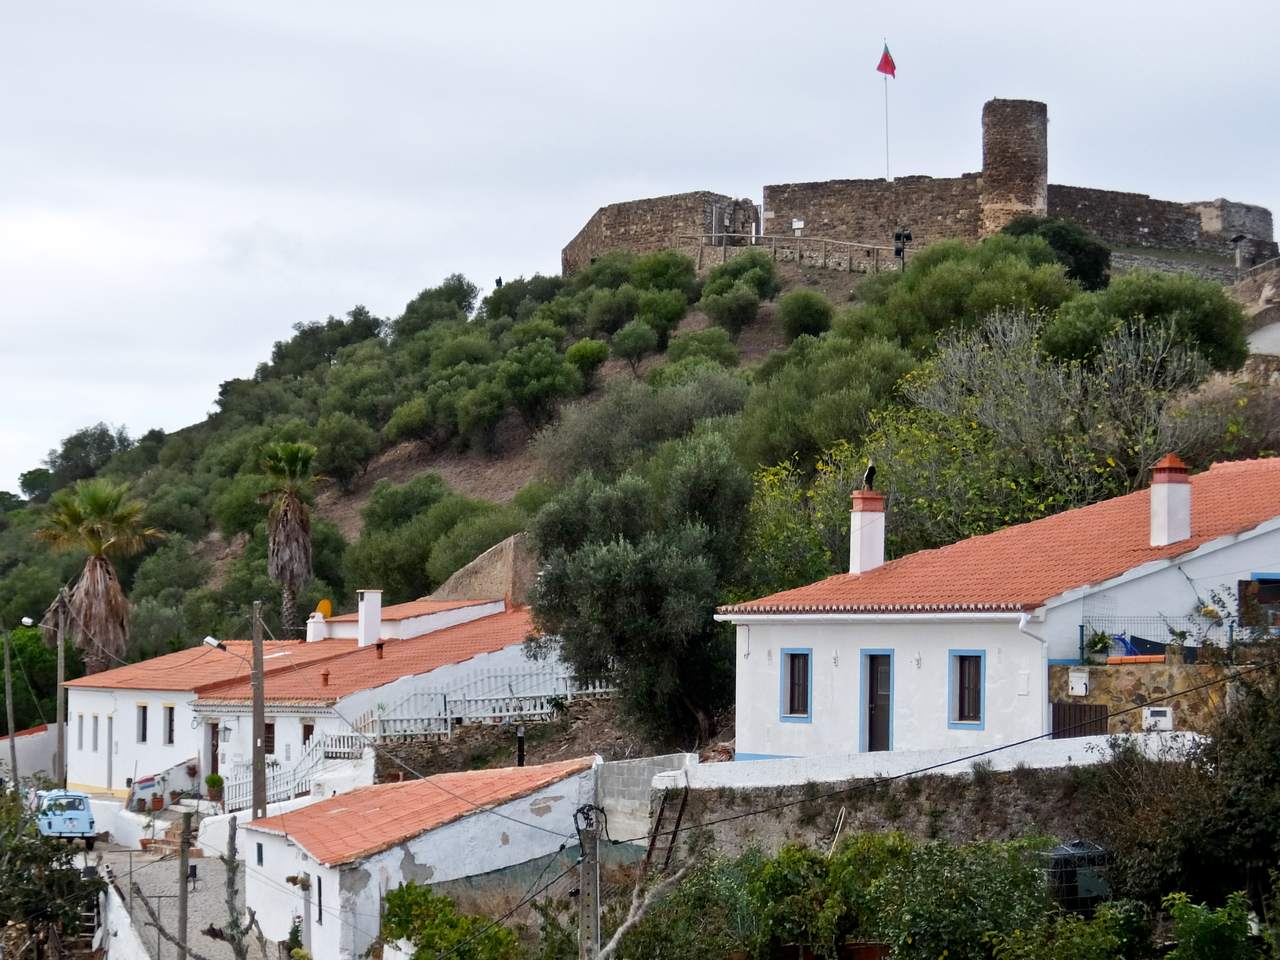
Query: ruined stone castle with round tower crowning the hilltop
(1013, 181)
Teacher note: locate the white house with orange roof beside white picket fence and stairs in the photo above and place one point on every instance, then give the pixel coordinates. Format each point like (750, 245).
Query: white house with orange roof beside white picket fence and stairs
(331, 710)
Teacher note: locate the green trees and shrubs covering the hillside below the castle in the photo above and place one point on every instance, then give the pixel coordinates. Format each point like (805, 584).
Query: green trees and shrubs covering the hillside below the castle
(666, 477)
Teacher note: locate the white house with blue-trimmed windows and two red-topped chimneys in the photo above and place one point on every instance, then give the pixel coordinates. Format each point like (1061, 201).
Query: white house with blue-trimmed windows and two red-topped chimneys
(950, 648)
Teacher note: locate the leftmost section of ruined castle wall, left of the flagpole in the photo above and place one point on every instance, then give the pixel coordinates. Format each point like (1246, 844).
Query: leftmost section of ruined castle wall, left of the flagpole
(643, 226)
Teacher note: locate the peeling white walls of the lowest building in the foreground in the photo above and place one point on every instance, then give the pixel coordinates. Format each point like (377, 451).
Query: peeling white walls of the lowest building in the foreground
(477, 844)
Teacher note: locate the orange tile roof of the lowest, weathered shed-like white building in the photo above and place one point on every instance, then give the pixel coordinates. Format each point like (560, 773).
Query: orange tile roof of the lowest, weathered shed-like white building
(367, 821)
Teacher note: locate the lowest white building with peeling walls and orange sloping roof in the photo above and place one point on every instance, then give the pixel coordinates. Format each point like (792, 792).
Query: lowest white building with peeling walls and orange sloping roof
(331, 865)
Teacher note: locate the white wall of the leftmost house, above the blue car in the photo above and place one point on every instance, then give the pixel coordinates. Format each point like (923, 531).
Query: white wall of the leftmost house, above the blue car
(92, 771)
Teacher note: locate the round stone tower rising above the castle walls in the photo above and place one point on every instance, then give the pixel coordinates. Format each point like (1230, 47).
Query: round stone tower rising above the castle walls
(1014, 162)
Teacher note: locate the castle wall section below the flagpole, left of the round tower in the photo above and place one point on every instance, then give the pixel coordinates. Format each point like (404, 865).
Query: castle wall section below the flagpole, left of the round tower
(868, 212)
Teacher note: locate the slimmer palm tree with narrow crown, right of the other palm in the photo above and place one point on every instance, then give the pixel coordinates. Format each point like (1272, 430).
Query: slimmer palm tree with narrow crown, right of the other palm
(287, 468)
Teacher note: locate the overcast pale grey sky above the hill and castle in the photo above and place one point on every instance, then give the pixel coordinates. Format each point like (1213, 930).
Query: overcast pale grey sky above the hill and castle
(182, 182)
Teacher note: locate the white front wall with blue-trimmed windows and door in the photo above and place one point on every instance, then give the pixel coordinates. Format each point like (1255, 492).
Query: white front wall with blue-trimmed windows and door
(1017, 679)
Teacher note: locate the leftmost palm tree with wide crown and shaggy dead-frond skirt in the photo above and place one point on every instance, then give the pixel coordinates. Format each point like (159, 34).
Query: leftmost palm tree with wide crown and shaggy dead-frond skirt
(99, 518)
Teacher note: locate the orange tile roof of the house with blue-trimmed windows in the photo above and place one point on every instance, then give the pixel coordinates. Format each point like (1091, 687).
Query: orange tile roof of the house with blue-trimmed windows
(1021, 568)
